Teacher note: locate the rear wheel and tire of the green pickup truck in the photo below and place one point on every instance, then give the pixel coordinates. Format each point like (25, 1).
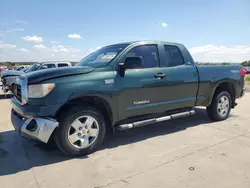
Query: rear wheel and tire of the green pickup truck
(213, 109)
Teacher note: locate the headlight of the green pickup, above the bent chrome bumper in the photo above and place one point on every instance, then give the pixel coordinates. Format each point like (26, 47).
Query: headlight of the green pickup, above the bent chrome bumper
(40, 90)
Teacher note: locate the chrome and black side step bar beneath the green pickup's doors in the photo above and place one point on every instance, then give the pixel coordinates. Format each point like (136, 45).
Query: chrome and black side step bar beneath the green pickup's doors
(155, 120)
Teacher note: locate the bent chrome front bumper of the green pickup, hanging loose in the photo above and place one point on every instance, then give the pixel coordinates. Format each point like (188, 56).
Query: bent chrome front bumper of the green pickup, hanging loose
(34, 127)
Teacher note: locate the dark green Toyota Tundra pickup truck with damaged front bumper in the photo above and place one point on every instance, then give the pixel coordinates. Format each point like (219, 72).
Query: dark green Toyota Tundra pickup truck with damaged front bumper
(119, 87)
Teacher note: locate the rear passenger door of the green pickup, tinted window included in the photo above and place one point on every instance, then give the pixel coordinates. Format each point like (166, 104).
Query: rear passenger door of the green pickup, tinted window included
(181, 81)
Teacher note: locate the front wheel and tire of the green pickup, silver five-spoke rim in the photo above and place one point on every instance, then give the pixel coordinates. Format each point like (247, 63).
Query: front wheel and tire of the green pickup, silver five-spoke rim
(68, 123)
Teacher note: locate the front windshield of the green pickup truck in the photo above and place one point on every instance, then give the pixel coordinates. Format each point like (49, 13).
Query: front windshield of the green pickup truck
(102, 57)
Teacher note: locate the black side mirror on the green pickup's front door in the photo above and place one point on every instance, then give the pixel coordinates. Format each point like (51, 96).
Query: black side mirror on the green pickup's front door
(130, 63)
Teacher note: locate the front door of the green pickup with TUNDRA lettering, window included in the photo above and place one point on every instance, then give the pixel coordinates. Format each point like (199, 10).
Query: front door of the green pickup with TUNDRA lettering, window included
(139, 88)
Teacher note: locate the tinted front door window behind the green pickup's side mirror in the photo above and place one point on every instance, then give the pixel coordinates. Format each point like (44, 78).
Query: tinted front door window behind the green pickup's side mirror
(149, 54)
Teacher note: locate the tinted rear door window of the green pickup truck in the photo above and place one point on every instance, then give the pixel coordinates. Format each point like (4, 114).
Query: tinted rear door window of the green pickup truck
(173, 57)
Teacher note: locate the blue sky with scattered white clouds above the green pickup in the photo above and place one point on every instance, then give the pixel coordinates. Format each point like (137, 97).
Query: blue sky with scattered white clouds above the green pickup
(212, 30)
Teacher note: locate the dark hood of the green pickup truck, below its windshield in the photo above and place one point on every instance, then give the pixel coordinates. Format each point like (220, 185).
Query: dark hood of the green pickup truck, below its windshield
(46, 74)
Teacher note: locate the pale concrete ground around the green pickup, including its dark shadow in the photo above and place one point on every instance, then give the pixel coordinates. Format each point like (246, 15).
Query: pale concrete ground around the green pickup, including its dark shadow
(189, 152)
